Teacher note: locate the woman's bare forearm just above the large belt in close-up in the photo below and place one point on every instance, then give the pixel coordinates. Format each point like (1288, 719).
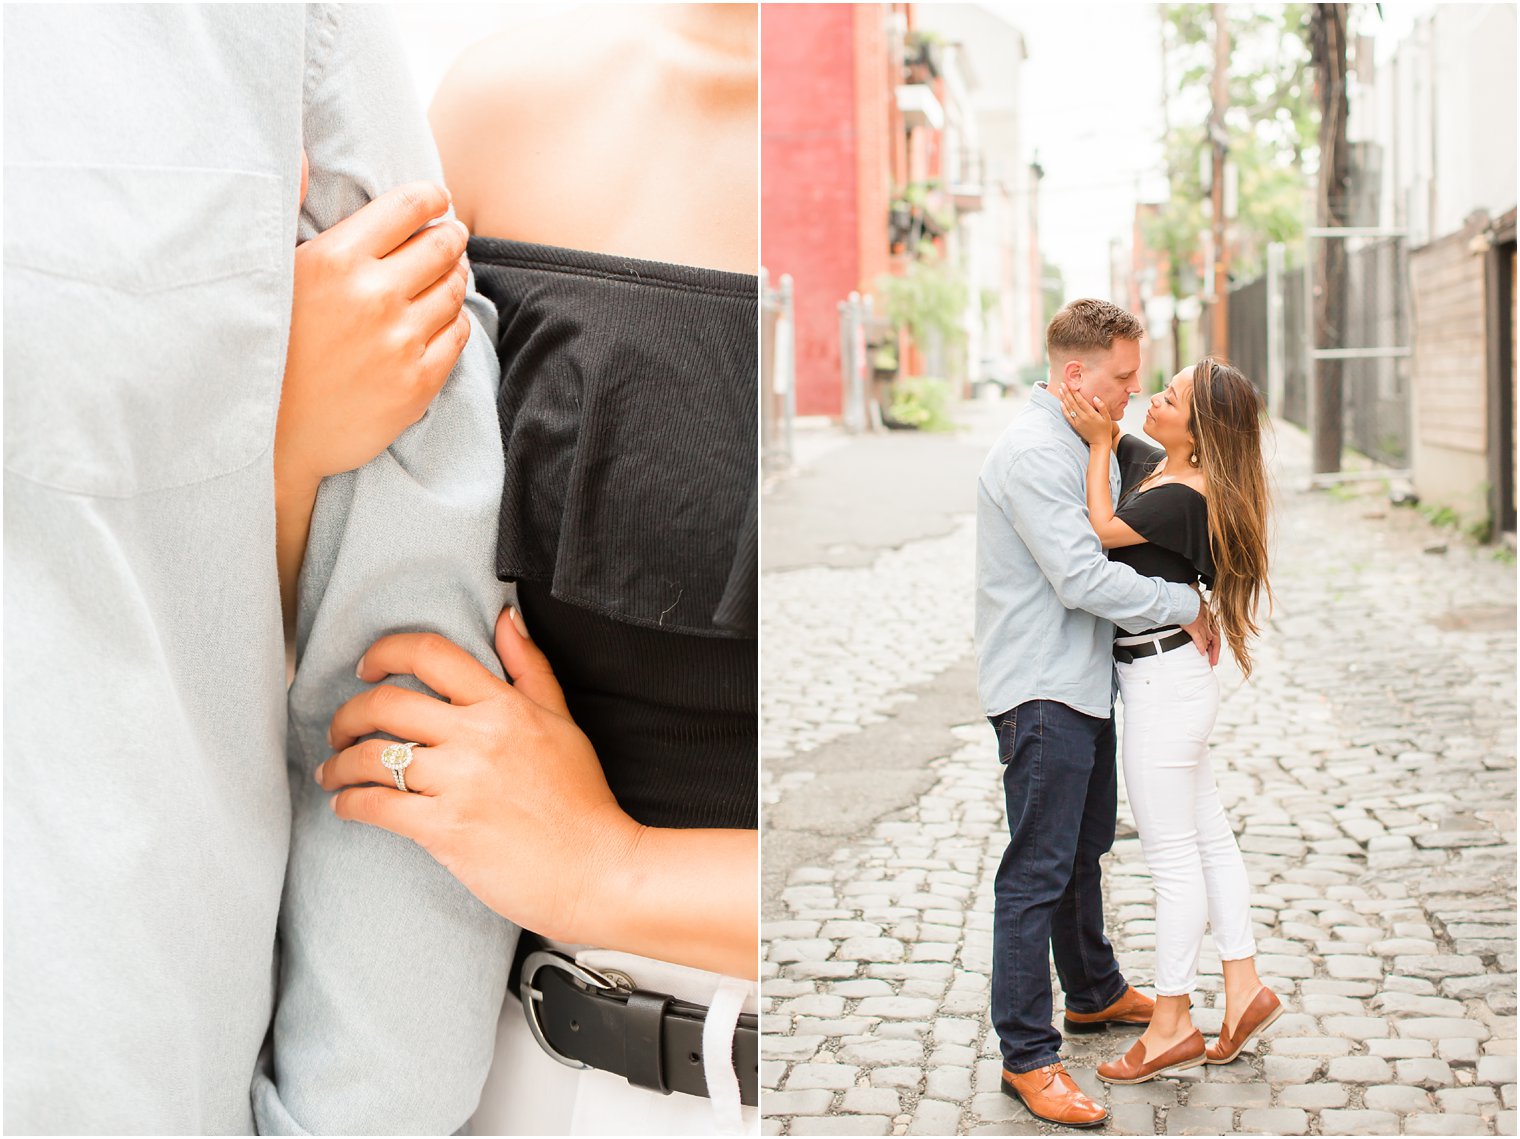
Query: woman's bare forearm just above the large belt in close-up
(683, 896)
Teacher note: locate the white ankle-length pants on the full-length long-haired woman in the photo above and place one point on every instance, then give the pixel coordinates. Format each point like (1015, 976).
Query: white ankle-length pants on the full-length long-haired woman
(1171, 702)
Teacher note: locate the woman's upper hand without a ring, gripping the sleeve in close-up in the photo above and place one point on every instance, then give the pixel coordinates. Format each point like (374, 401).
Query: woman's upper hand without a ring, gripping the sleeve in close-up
(376, 326)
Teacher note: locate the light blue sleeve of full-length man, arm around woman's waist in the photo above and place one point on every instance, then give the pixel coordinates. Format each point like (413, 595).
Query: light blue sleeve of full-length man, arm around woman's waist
(1050, 515)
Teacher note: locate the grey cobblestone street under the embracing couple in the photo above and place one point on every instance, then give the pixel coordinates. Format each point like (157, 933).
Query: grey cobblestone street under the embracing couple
(1369, 772)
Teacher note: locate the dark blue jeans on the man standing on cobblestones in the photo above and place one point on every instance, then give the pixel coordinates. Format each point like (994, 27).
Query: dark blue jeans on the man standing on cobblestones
(1062, 788)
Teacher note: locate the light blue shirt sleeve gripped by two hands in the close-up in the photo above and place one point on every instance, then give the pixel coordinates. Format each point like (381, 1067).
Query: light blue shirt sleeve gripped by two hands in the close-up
(391, 974)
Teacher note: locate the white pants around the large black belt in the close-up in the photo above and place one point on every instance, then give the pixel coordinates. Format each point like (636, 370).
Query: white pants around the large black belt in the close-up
(528, 1093)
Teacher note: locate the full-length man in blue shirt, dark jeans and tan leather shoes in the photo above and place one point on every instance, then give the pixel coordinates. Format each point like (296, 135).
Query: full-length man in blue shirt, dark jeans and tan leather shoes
(1047, 606)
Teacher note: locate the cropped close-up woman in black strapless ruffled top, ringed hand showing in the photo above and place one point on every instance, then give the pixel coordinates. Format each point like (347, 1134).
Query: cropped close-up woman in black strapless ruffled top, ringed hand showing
(606, 799)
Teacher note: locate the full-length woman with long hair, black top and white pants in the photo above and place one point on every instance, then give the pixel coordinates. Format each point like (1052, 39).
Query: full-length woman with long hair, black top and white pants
(1194, 510)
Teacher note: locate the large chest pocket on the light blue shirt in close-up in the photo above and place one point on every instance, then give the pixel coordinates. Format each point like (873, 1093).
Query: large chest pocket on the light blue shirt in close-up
(147, 314)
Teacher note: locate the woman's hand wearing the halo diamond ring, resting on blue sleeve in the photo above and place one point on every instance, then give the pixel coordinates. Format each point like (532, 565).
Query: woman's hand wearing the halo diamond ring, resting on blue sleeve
(508, 792)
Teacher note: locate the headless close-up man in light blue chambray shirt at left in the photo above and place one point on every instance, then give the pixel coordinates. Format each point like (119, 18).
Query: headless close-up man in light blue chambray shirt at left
(154, 834)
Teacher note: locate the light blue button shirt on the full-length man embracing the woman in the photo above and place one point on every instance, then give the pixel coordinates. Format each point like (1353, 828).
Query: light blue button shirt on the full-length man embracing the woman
(1048, 598)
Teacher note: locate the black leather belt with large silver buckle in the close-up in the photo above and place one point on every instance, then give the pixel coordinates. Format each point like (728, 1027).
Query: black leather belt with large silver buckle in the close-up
(586, 1020)
